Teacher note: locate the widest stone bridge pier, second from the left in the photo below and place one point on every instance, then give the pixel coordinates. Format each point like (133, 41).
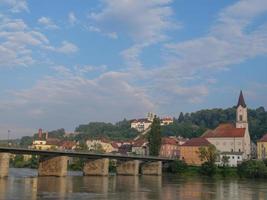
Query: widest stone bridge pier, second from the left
(53, 166)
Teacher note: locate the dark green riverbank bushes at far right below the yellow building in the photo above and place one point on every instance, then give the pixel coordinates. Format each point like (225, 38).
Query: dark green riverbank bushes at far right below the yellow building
(252, 169)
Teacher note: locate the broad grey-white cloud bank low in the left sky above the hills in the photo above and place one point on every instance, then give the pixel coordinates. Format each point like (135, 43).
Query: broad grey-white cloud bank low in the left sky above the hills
(66, 100)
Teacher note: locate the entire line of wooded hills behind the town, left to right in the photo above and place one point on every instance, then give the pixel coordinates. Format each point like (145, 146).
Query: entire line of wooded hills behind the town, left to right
(187, 125)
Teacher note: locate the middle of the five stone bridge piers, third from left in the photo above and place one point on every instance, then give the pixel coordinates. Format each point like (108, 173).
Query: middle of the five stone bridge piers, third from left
(97, 167)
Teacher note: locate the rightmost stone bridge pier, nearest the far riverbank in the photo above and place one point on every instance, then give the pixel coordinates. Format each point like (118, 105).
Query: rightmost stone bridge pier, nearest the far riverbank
(152, 168)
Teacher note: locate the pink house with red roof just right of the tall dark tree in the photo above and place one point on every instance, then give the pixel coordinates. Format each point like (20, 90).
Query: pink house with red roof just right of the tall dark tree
(169, 147)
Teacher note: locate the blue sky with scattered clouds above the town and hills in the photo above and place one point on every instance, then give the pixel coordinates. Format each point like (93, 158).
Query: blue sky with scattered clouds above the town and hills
(65, 63)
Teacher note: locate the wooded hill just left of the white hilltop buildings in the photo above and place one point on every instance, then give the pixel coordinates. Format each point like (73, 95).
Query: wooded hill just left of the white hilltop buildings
(120, 130)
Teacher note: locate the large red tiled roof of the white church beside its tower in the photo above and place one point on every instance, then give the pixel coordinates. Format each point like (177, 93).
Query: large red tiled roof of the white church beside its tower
(225, 130)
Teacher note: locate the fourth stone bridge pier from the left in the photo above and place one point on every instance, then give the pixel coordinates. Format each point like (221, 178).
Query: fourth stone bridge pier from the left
(130, 168)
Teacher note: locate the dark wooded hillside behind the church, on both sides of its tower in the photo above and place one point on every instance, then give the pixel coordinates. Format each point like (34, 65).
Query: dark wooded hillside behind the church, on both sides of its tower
(194, 124)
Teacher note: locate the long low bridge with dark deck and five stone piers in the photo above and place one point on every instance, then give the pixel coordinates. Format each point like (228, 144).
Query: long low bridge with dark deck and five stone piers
(55, 163)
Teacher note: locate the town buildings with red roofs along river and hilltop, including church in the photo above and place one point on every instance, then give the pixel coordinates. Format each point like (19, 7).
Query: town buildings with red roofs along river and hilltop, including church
(231, 140)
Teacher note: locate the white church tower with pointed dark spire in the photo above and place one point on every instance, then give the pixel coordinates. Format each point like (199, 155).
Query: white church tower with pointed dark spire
(241, 113)
